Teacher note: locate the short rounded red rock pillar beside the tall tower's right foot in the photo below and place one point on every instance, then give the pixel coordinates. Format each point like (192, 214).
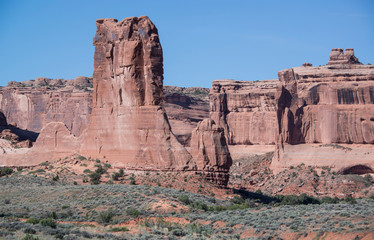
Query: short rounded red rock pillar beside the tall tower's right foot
(210, 151)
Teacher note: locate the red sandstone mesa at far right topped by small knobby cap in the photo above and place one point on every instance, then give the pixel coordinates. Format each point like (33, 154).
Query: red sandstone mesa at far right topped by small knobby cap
(331, 104)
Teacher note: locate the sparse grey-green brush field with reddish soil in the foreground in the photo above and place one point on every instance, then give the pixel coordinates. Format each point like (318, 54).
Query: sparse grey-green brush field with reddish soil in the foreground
(36, 207)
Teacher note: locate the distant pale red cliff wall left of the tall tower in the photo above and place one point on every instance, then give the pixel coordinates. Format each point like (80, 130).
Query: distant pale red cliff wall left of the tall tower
(35, 103)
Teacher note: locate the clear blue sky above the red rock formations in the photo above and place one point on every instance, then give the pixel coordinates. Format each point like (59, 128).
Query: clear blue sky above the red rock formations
(202, 40)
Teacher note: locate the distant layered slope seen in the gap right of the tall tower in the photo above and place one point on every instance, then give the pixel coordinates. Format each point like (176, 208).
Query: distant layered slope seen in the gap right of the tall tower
(185, 107)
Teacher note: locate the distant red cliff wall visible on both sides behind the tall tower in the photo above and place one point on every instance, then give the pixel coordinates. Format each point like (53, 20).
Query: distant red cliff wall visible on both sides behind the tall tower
(35, 103)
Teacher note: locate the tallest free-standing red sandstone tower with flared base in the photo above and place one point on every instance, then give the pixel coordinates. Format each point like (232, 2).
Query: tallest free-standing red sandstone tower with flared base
(128, 124)
